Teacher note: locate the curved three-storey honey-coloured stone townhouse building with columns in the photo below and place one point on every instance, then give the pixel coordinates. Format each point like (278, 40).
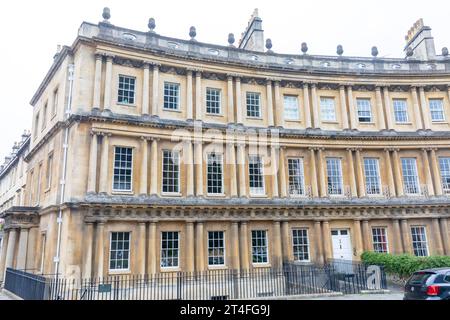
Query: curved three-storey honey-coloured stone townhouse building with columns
(152, 154)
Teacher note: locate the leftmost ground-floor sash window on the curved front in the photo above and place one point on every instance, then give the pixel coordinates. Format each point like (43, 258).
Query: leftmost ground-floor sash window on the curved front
(119, 252)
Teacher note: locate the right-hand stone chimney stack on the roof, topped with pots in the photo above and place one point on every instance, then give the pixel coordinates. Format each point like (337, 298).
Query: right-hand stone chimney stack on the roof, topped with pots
(420, 41)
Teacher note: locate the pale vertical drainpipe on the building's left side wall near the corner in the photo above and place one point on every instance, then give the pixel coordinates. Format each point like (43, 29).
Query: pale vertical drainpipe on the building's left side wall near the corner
(64, 169)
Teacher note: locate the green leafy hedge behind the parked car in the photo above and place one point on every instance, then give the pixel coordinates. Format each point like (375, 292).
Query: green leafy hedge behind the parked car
(404, 265)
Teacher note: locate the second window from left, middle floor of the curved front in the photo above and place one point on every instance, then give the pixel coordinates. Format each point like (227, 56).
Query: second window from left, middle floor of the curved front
(171, 172)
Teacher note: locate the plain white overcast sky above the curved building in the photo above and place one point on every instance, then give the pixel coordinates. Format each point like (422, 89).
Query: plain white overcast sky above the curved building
(31, 30)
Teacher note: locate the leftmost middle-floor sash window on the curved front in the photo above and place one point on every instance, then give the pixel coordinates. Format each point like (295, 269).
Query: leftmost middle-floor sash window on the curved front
(123, 169)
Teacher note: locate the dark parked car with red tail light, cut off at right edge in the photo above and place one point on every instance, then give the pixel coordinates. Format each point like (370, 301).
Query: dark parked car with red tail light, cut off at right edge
(432, 284)
